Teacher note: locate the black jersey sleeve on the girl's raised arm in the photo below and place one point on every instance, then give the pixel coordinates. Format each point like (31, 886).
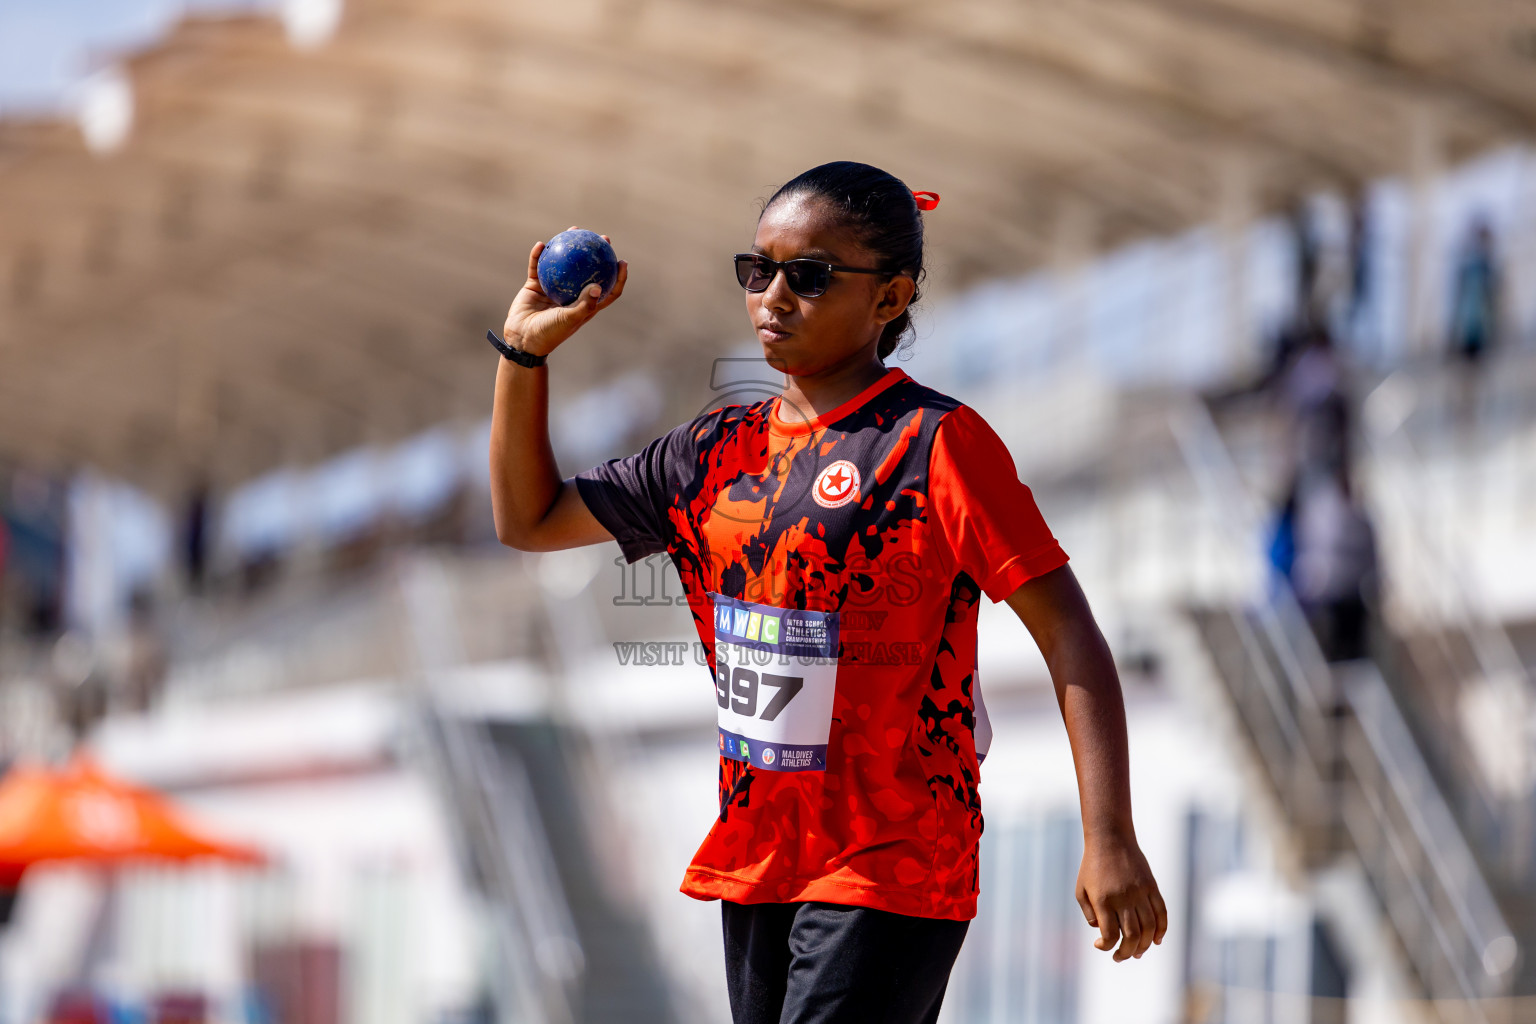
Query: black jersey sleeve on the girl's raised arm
(632, 497)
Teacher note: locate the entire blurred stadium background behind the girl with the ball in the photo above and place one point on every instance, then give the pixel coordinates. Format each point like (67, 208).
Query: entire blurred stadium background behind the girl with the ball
(1250, 289)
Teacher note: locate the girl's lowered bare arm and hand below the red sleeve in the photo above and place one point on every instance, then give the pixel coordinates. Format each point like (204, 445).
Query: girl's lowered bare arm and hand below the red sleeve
(1114, 884)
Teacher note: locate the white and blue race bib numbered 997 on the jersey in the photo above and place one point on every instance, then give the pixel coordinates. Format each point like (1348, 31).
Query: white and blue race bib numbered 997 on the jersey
(775, 678)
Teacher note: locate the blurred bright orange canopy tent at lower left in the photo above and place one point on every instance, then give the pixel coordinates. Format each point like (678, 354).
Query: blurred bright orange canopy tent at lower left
(84, 814)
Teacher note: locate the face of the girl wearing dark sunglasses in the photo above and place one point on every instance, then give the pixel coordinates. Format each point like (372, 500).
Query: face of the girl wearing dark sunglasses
(839, 328)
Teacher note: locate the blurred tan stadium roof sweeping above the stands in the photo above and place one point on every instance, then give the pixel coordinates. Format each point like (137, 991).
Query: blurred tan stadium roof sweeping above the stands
(299, 248)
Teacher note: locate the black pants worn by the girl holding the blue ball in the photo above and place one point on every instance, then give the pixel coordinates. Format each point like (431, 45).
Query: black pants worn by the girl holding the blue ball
(821, 963)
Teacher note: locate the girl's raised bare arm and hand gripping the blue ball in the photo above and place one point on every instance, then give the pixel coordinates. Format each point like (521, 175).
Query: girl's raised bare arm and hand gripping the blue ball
(535, 509)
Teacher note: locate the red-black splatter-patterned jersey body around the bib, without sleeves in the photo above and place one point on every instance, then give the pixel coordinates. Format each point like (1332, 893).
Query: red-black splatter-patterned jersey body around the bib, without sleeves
(896, 818)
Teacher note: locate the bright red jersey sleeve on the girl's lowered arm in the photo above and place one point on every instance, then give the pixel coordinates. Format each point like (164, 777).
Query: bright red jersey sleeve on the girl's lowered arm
(985, 515)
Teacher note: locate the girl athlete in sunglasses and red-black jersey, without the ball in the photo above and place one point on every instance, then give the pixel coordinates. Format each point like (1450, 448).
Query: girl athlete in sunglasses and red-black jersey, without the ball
(835, 544)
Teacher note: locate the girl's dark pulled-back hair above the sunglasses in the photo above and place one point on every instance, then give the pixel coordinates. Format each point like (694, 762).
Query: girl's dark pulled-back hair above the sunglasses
(886, 217)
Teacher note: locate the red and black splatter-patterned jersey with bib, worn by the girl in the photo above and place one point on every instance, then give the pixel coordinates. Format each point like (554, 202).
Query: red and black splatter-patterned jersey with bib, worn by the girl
(833, 570)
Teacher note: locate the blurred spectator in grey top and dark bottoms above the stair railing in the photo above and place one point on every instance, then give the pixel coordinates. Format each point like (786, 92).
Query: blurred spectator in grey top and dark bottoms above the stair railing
(1336, 570)
